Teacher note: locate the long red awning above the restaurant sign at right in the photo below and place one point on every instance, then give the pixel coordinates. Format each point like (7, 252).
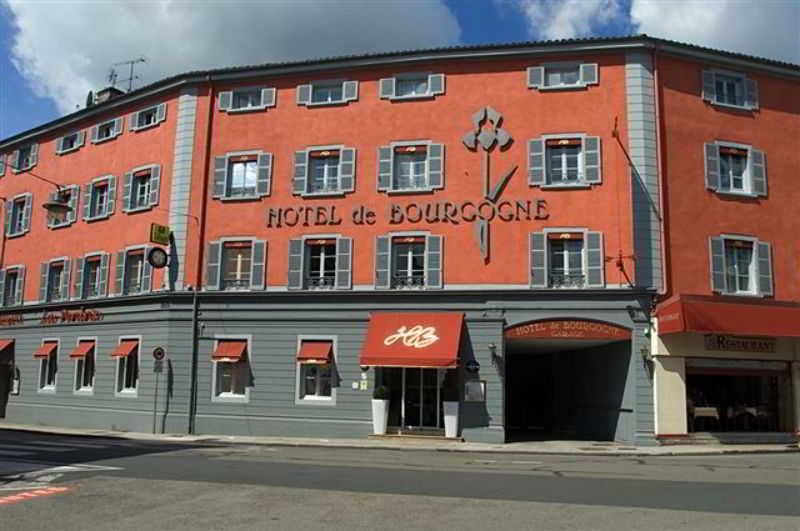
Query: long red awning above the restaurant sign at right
(728, 315)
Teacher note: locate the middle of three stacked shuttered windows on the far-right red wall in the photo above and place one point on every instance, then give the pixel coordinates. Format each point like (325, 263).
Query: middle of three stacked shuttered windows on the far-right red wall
(735, 169)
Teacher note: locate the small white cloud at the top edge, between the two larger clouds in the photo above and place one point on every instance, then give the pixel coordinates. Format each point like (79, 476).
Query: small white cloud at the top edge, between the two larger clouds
(566, 19)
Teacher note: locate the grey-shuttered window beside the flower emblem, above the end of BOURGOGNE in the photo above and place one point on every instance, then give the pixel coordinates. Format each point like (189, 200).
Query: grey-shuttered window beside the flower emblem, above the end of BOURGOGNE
(564, 161)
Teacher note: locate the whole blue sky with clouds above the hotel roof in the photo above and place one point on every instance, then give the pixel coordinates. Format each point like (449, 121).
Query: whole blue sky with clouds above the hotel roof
(54, 51)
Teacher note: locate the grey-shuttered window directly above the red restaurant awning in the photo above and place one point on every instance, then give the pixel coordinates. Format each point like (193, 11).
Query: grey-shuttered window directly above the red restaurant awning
(741, 266)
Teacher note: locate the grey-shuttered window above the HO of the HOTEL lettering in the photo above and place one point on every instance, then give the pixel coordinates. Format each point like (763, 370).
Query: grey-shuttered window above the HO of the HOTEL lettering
(242, 175)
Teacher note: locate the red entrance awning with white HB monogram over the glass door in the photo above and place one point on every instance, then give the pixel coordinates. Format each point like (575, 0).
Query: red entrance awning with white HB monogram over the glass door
(413, 340)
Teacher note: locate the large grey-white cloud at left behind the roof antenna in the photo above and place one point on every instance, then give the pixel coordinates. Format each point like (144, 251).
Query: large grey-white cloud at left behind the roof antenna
(66, 48)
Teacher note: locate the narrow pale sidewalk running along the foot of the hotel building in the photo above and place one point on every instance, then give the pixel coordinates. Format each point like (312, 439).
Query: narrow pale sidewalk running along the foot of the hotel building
(416, 444)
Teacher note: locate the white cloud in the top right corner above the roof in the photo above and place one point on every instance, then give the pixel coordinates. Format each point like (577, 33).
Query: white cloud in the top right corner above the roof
(766, 28)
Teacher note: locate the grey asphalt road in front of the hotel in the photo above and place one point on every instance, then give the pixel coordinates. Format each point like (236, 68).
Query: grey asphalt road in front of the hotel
(65, 483)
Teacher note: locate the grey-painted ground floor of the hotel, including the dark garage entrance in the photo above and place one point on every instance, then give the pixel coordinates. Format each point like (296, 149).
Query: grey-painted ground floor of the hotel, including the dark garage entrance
(509, 388)
